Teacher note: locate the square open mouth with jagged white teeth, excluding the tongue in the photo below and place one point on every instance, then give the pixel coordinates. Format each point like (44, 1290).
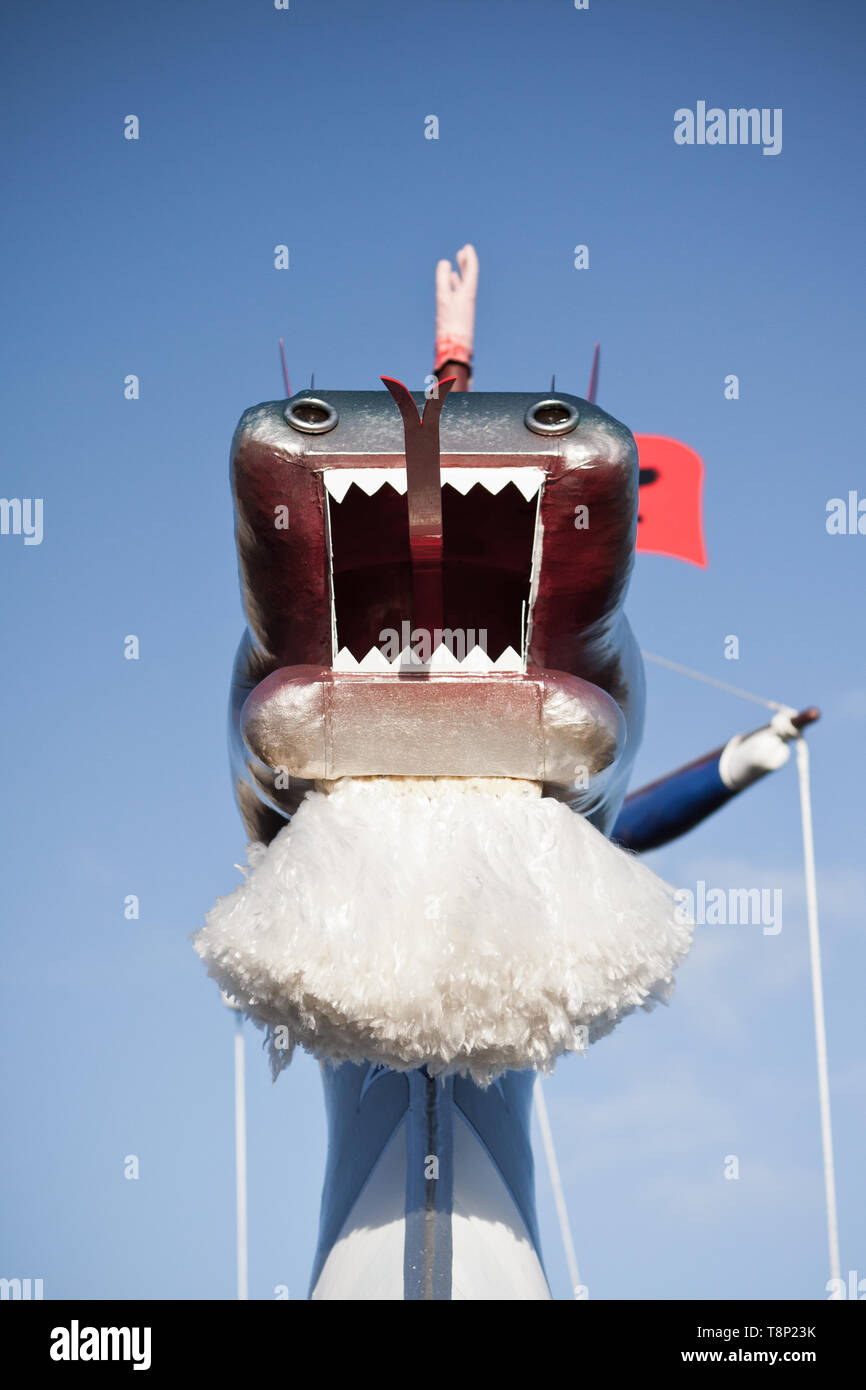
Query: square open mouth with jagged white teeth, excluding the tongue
(490, 539)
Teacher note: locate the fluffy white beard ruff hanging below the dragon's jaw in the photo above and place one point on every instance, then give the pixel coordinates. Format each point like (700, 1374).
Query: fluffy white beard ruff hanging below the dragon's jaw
(459, 926)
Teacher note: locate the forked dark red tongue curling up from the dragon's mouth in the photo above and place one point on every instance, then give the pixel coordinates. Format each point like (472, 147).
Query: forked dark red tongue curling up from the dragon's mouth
(425, 497)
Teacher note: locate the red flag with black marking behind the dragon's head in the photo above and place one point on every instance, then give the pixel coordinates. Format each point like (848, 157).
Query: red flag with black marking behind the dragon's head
(669, 504)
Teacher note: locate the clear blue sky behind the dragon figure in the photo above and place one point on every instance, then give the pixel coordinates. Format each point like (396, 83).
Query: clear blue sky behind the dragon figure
(155, 258)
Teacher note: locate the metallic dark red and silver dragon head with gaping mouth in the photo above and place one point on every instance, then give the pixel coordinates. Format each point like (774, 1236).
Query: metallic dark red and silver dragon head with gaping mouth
(436, 605)
